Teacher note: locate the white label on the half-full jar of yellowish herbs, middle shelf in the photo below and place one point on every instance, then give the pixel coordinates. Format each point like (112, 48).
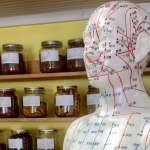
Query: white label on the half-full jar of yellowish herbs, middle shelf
(31, 100)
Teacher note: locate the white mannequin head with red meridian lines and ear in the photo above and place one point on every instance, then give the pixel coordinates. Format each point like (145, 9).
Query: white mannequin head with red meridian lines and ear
(117, 43)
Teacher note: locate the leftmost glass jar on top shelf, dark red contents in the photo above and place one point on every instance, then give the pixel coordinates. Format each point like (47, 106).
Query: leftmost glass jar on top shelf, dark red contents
(12, 59)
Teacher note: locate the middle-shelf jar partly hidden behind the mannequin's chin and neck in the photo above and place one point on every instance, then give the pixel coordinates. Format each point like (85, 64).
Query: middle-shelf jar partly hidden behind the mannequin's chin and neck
(92, 99)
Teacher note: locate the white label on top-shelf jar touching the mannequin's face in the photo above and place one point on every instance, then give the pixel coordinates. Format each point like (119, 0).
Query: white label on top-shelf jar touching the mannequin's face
(75, 53)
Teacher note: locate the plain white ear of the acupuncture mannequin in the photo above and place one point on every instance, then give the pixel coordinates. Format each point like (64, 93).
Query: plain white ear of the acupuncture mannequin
(142, 47)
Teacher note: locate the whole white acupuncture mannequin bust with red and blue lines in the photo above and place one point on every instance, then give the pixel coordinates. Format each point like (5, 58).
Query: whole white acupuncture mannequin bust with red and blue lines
(117, 49)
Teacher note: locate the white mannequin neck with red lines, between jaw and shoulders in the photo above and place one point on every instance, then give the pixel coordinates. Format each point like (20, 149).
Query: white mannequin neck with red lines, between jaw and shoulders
(124, 96)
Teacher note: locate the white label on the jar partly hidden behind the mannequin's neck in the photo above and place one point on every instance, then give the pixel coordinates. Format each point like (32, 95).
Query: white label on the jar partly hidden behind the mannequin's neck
(93, 99)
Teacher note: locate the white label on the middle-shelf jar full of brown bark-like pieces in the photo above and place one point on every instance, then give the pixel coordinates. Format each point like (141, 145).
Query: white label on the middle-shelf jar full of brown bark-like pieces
(64, 100)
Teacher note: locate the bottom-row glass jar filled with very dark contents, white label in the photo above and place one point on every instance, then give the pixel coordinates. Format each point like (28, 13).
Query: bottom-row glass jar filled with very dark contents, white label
(20, 140)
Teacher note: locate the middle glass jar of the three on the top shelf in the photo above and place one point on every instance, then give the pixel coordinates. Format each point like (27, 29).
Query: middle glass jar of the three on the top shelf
(51, 57)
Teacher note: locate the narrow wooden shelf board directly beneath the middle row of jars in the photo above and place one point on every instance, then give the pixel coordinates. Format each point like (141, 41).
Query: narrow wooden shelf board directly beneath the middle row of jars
(71, 119)
